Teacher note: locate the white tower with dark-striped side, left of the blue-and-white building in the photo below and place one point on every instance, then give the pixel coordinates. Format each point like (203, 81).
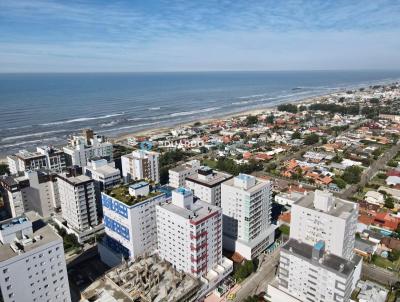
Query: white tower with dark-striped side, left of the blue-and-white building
(78, 204)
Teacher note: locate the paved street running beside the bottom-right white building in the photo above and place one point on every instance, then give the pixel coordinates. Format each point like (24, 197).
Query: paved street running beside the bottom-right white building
(258, 282)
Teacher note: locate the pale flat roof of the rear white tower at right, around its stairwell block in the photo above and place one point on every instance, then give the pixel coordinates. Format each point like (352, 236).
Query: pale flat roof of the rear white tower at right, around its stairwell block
(342, 208)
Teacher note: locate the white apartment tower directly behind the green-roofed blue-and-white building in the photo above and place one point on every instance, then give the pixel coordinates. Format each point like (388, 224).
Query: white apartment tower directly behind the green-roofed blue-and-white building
(141, 164)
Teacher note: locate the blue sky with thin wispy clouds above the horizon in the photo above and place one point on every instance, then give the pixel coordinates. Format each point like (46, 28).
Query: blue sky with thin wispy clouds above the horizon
(146, 35)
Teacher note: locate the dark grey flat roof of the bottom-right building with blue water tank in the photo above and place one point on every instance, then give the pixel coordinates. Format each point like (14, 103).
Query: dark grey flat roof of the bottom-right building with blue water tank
(331, 262)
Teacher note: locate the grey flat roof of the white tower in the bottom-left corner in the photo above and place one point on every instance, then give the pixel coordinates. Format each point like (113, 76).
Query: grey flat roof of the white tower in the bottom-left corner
(40, 230)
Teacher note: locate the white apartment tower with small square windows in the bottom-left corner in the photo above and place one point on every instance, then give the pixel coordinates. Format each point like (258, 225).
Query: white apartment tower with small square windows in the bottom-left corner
(32, 262)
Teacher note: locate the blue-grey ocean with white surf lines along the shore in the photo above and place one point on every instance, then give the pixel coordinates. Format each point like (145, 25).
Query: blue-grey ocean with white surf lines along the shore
(39, 109)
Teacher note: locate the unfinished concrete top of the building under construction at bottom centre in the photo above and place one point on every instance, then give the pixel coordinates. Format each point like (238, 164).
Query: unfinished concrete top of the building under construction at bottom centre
(147, 279)
